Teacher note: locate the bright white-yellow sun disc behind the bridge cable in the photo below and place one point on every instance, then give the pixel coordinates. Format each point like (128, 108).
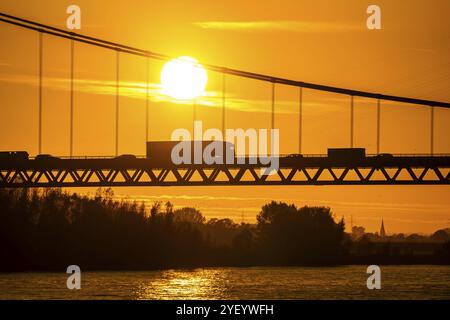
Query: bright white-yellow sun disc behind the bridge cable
(183, 78)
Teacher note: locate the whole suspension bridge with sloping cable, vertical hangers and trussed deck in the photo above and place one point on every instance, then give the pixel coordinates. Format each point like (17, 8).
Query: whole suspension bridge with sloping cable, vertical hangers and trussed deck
(295, 169)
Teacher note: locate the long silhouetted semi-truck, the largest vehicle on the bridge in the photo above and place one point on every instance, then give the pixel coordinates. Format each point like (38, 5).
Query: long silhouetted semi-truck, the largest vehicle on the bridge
(160, 152)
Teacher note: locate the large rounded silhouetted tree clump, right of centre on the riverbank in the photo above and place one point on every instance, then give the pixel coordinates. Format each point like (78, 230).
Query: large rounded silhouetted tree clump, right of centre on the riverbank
(308, 235)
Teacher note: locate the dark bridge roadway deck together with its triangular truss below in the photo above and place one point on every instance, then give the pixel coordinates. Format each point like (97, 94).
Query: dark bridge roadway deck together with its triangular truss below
(319, 170)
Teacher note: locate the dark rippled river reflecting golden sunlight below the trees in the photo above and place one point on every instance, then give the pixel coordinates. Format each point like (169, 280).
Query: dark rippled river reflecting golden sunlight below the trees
(344, 282)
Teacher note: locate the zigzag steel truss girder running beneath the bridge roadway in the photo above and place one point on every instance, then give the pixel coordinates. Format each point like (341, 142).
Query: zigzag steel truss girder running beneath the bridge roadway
(223, 175)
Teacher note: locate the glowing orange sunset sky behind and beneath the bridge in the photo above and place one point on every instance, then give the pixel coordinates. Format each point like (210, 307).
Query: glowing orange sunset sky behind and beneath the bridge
(324, 42)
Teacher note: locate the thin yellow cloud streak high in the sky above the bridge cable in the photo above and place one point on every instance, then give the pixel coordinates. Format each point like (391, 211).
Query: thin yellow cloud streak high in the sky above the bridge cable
(278, 25)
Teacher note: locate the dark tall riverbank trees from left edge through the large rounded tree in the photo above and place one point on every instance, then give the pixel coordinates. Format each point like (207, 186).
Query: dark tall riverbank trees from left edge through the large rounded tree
(51, 229)
